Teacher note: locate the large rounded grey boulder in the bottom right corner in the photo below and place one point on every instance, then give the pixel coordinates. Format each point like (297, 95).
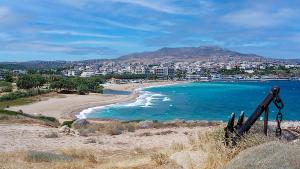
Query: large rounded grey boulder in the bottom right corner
(268, 156)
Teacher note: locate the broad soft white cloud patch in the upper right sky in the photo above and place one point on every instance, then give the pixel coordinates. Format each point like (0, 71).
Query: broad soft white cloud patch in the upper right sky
(256, 18)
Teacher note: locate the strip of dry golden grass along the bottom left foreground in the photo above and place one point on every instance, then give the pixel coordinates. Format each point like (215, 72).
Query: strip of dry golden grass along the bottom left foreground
(86, 159)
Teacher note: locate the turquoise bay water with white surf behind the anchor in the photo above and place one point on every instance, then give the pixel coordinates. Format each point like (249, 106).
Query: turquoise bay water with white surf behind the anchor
(202, 101)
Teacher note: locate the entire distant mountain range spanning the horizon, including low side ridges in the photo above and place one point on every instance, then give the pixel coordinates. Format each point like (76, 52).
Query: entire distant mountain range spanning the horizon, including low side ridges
(189, 54)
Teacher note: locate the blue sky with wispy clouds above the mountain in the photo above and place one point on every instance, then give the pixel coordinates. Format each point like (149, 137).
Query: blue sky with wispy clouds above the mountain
(90, 29)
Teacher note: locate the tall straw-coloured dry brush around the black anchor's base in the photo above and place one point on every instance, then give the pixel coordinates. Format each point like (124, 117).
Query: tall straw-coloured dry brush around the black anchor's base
(218, 154)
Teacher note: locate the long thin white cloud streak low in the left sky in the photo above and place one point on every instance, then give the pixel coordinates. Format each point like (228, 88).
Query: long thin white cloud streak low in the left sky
(74, 33)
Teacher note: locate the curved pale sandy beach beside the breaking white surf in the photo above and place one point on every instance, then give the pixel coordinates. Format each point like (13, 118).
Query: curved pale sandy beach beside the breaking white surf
(65, 106)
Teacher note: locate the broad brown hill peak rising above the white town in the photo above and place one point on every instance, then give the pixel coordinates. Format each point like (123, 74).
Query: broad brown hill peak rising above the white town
(184, 53)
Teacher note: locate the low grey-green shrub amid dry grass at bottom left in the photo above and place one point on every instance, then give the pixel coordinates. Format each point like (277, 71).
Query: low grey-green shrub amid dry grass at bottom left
(40, 156)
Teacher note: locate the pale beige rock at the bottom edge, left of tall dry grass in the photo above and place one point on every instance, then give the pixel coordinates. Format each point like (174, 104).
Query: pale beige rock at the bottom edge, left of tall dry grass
(189, 159)
